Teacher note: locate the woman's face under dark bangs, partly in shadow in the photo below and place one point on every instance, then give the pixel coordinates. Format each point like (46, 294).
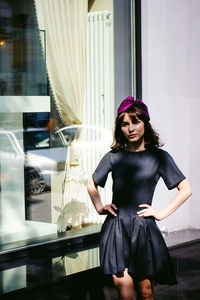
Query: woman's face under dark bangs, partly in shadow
(133, 131)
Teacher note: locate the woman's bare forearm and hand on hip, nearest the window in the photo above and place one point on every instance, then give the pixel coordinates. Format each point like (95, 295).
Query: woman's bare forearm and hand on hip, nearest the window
(96, 200)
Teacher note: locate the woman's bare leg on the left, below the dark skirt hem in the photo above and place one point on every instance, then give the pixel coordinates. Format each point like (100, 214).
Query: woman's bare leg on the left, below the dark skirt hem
(125, 286)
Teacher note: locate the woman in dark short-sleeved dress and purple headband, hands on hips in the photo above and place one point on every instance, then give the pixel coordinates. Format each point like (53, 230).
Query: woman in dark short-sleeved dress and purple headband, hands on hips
(132, 248)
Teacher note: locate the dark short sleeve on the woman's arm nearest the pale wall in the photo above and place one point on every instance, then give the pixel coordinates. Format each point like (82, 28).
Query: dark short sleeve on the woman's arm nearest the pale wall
(168, 170)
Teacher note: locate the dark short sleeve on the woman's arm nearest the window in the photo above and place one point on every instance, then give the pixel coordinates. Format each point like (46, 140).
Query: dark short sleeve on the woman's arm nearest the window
(101, 173)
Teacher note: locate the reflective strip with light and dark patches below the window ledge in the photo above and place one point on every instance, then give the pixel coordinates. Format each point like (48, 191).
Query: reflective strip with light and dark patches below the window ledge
(41, 271)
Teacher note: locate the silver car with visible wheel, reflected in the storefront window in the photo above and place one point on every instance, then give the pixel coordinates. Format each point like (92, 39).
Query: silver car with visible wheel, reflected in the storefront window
(40, 160)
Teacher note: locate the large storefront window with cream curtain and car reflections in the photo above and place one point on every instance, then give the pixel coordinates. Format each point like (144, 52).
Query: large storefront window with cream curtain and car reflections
(55, 126)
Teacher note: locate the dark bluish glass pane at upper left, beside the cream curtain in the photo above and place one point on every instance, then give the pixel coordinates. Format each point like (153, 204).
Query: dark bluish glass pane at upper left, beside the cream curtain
(22, 62)
